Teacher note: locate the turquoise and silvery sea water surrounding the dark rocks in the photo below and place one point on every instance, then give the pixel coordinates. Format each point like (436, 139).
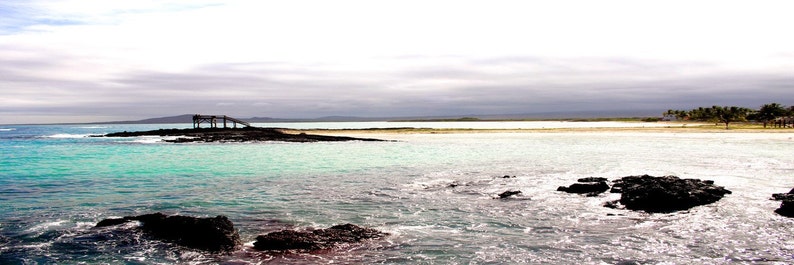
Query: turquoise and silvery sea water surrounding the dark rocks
(433, 193)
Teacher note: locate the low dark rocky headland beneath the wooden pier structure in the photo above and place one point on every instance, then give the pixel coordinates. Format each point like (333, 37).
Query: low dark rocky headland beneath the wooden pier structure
(246, 134)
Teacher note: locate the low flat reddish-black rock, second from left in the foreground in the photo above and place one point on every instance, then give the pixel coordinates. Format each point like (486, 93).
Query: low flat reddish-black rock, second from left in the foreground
(315, 239)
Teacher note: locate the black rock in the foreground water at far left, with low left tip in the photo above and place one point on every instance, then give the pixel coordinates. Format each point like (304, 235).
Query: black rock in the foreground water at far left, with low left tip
(212, 234)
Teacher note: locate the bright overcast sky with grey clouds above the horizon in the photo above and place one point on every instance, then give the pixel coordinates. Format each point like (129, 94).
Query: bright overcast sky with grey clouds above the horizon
(99, 60)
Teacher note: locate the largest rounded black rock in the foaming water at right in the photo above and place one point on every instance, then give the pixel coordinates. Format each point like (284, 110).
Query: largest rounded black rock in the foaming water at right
(666, 194)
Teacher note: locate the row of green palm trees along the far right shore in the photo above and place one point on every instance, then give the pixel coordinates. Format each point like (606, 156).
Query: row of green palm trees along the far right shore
(726, 115)
